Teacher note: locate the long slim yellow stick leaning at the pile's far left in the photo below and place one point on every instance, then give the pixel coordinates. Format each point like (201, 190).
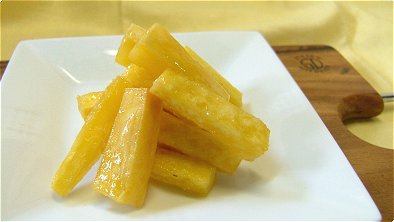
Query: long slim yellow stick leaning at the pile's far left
(91, 139)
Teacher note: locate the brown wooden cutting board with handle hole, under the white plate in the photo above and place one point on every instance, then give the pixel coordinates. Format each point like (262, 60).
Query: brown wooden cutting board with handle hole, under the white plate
(338, 93)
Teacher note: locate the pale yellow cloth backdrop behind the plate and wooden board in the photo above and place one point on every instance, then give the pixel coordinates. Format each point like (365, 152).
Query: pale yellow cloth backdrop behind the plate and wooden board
(361, 31)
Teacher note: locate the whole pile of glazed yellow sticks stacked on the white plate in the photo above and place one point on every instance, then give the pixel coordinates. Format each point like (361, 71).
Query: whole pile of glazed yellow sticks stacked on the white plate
(170, 117)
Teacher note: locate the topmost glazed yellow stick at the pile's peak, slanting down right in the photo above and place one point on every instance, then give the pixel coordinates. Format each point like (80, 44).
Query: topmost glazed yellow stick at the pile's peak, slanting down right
(158, 50)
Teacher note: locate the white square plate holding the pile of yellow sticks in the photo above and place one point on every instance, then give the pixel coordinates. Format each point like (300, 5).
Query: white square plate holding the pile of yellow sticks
(304, 175)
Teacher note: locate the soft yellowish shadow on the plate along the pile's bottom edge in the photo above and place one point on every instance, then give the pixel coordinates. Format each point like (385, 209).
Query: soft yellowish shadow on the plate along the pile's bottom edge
(162, 197)
